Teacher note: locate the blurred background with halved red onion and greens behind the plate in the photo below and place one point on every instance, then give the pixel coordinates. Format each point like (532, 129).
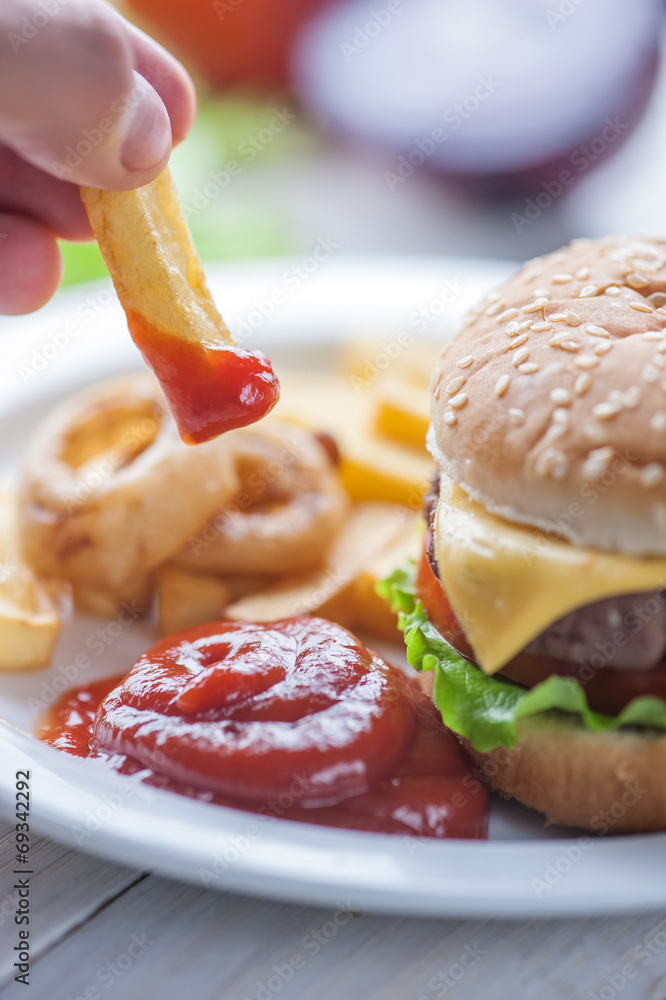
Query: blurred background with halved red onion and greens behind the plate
(421, 126)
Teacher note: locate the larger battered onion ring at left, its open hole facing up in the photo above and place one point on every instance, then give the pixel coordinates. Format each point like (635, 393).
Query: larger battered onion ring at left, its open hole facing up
(109, 491)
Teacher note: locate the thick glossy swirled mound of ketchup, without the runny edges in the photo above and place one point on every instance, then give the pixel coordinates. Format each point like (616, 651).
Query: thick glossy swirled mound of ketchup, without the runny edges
(234, 708)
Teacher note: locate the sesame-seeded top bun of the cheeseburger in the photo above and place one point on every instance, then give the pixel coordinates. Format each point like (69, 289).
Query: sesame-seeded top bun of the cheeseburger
(549, 406)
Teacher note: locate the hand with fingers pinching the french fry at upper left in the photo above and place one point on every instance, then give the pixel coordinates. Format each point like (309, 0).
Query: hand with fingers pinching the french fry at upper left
(85, 98)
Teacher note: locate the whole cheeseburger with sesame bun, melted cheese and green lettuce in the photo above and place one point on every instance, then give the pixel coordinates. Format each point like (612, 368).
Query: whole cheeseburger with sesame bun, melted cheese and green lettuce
(539, 608)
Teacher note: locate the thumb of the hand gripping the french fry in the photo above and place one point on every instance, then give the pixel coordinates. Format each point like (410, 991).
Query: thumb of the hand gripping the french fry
(71, 102)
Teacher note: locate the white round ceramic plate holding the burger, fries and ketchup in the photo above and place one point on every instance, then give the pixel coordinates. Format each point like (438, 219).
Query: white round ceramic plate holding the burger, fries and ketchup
(523, 870)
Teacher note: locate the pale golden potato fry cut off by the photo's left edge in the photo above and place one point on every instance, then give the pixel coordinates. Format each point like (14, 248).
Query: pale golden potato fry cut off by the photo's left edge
(29, 617)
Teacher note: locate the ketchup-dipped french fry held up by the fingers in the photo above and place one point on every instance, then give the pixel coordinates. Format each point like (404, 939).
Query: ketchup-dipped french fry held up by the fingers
(210, 385)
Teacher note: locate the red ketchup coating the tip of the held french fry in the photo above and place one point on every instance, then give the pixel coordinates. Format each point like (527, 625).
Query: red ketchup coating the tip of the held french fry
(209, 388)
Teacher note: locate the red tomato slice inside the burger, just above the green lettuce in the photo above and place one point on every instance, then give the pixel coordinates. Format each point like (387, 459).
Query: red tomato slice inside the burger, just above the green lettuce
(608, 689)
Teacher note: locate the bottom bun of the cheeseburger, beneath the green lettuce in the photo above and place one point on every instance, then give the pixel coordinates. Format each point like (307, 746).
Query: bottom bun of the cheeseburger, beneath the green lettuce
(613, 782)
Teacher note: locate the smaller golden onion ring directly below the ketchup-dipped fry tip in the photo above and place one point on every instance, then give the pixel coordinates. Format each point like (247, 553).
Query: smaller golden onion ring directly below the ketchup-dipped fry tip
(290, 506)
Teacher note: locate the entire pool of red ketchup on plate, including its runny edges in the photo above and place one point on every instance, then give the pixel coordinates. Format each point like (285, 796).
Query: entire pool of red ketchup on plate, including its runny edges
(293, 719)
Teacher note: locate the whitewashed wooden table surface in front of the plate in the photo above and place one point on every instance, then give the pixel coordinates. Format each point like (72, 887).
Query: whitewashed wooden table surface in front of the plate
(101, 931)
